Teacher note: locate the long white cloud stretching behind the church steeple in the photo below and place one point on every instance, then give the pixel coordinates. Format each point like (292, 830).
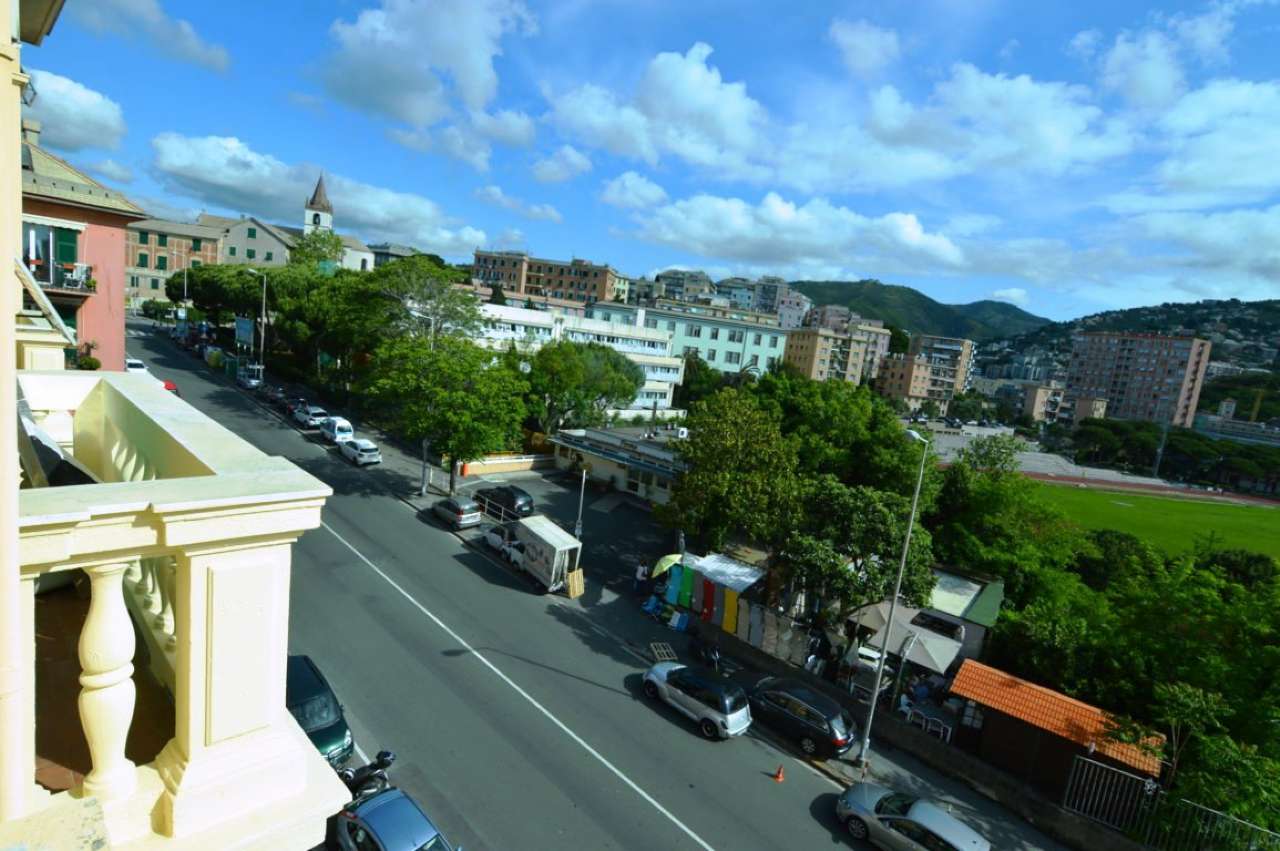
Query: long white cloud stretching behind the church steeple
(225, 172)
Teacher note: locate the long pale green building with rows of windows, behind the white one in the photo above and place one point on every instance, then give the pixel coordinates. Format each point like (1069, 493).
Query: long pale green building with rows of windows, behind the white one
(726, 340)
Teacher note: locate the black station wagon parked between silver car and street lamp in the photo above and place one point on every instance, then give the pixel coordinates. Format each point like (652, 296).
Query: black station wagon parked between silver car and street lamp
(813, 721)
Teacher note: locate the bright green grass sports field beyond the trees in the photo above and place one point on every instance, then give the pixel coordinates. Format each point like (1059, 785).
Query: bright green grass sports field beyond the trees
(1171, 524)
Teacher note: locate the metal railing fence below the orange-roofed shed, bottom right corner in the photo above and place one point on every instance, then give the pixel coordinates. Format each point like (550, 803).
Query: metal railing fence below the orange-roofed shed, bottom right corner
(1139, 808)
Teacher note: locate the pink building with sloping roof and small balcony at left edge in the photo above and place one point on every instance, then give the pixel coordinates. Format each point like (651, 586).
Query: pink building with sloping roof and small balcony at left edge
(74, 244)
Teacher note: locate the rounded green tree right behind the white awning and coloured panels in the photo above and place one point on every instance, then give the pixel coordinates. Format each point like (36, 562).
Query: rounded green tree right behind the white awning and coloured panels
(740, 478)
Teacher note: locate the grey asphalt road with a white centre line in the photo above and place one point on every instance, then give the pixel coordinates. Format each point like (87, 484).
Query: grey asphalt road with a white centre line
(518, 720)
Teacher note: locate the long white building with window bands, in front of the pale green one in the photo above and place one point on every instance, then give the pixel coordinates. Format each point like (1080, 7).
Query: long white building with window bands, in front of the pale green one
(648, 349)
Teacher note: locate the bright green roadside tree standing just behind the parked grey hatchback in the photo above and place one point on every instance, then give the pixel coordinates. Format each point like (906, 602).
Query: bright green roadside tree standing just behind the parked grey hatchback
(454, 395)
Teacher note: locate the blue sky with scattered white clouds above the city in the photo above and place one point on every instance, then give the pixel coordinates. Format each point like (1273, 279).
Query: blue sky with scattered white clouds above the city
(1067, 158)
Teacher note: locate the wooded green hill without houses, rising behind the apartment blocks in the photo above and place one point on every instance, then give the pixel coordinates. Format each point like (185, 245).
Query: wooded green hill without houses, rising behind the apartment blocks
(918, 314)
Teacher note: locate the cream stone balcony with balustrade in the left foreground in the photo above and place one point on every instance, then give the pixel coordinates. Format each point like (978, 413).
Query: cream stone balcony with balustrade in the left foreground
(184, 542)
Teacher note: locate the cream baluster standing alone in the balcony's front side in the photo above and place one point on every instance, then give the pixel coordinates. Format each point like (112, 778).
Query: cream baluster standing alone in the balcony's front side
(107, 685)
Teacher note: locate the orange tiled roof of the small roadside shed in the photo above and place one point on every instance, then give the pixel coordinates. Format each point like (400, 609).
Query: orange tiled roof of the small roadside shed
(1050, 711)
